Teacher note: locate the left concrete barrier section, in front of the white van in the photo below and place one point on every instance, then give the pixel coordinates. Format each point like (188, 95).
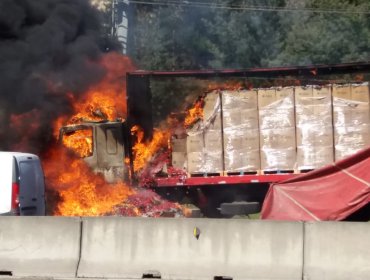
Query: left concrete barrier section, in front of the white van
(39, 246)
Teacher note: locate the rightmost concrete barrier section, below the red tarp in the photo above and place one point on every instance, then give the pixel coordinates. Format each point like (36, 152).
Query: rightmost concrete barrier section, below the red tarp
(337, 250)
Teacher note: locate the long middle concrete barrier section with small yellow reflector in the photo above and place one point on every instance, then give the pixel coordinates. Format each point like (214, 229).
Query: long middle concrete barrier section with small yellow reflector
(114, 247)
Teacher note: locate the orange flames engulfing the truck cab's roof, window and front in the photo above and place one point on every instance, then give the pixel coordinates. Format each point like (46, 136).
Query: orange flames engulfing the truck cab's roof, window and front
(80, 191)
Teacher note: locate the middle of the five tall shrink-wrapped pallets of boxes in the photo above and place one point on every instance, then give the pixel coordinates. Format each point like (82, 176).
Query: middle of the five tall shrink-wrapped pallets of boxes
(277, 129)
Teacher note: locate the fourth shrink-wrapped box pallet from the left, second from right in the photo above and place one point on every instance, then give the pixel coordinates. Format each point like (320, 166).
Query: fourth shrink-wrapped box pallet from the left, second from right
(314, 127)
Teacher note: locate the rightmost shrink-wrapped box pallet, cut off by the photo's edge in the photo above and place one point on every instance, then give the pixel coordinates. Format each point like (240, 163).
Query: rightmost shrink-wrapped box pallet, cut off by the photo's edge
(351, 118)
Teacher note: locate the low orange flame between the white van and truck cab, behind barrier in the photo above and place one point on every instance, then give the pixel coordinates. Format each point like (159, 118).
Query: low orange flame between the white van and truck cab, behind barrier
(82, 193)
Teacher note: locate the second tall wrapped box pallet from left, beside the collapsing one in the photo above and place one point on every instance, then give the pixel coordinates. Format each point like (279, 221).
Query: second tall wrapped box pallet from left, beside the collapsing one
(240, 131)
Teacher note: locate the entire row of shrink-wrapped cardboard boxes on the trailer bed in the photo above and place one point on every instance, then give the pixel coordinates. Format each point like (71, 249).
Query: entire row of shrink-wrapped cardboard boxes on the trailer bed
(276, 129)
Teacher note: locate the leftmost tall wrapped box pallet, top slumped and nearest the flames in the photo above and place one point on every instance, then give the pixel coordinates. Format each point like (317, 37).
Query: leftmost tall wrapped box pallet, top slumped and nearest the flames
(204, 140)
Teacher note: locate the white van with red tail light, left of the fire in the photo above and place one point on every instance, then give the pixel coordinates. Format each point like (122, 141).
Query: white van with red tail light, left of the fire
(22, 187)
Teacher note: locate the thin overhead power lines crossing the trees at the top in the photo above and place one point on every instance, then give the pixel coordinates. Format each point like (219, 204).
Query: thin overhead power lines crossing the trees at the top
(210, 5)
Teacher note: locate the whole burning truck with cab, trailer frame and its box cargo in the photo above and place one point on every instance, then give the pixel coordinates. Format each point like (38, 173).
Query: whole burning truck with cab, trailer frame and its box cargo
(234, 141)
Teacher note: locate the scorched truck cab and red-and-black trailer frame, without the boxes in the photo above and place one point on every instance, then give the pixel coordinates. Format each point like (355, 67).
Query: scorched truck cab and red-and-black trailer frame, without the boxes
(215, 193)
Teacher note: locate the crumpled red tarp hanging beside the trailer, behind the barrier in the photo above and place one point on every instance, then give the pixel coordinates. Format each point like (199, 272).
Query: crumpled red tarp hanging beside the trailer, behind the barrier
(330, 193)
